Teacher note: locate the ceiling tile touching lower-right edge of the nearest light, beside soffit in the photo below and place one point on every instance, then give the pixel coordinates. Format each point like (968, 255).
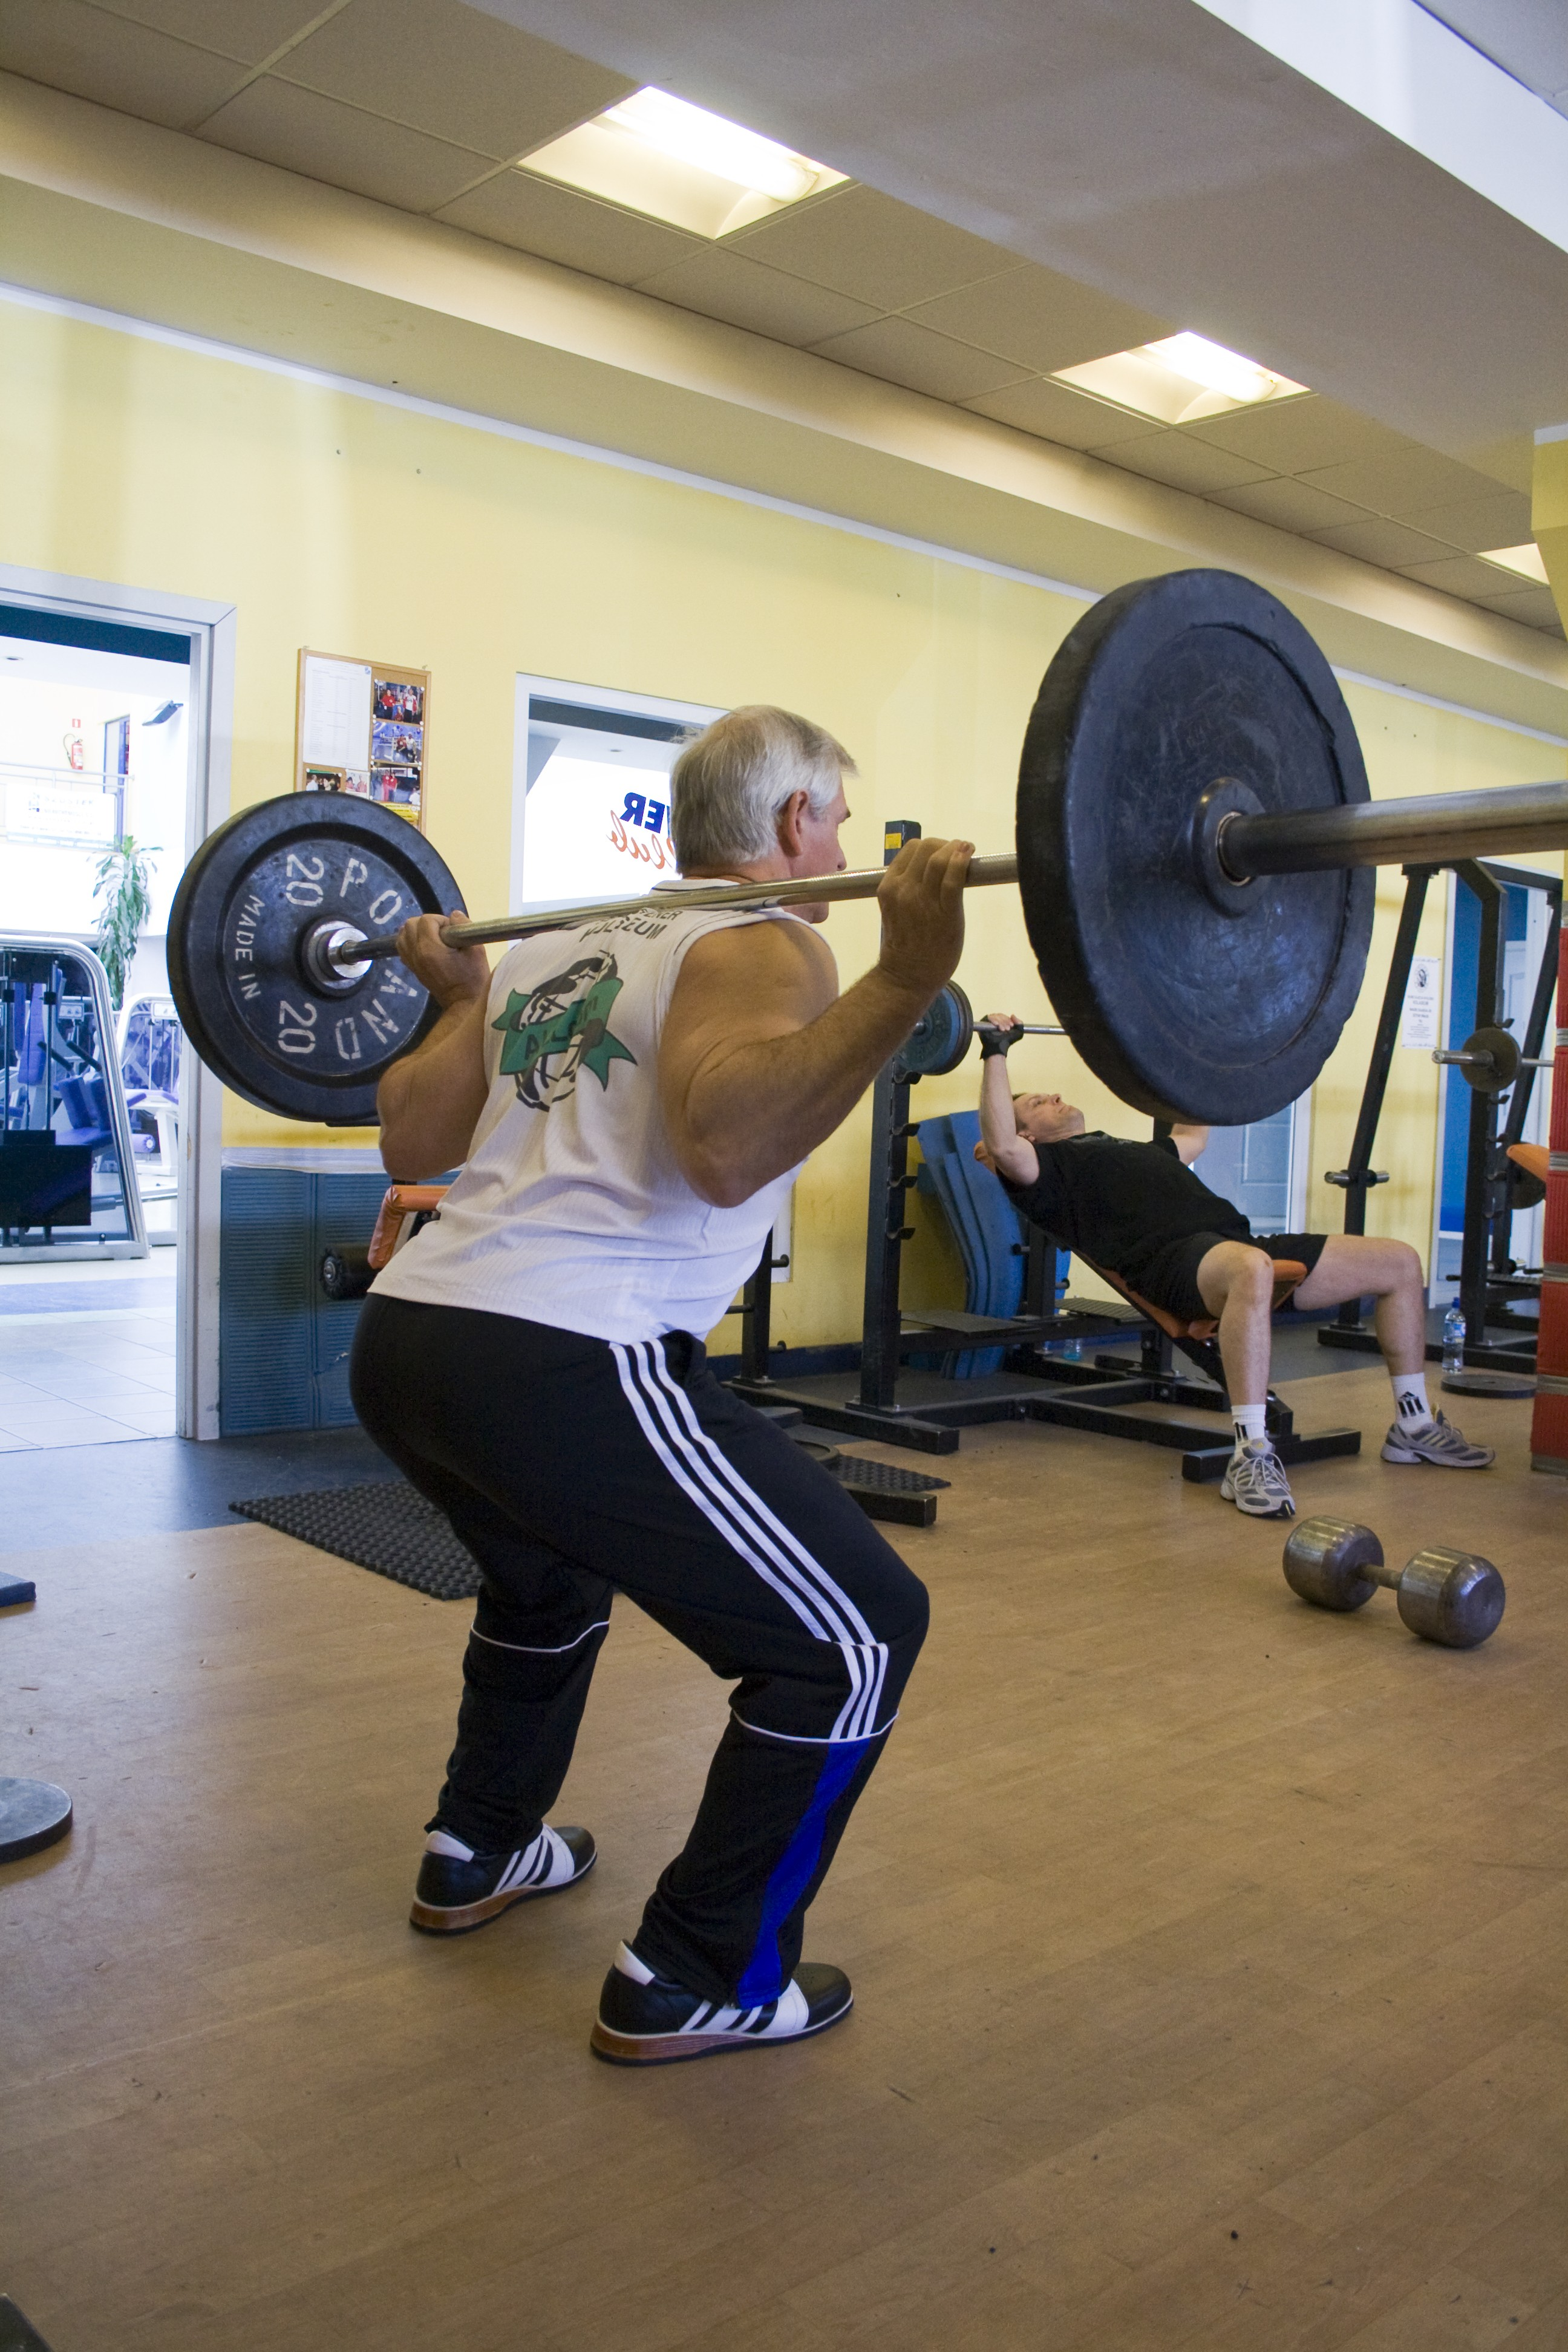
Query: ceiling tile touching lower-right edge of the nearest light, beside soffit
(871, 248)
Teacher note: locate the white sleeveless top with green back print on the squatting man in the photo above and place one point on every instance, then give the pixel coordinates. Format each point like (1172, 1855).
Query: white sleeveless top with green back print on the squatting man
(572, 1208)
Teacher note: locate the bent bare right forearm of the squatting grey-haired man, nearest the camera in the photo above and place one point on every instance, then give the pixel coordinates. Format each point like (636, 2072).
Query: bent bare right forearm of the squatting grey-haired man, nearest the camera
(760, 1109)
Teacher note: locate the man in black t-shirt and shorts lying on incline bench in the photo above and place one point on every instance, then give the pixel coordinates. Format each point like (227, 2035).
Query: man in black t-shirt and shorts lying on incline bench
(1139, 1212)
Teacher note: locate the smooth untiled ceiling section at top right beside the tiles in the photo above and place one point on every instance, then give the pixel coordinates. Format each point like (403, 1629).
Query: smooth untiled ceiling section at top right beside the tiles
(1158, 156)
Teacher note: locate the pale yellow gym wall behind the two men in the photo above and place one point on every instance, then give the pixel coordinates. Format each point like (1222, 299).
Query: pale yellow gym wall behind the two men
(356, 528)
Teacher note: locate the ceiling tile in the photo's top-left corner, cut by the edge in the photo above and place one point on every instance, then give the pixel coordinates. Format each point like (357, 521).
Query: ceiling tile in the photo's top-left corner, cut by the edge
(72, 46)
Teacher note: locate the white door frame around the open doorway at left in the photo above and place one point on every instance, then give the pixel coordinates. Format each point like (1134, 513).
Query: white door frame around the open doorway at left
(208, 791)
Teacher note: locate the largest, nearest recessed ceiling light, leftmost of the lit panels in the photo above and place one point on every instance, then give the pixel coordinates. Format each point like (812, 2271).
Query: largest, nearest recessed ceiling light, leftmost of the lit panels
(681, 163)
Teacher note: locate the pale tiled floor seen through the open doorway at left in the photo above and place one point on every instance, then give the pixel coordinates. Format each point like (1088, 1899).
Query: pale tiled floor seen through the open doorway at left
(93, 1375)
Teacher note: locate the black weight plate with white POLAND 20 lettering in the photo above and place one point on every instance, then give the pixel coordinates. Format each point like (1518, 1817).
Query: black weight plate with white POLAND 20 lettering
(241, 911)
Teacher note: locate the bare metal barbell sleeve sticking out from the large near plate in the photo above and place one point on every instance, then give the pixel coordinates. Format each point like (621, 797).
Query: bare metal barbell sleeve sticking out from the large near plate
(1435, 829)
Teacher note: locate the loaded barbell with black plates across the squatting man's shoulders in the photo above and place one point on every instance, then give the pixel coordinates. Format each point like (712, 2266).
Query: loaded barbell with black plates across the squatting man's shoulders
(1193, 850)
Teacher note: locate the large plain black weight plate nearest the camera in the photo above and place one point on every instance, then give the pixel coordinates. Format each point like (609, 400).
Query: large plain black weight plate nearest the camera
(1188, 1010)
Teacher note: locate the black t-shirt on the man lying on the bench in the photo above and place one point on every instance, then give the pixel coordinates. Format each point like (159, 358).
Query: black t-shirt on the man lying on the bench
(1123, 1203)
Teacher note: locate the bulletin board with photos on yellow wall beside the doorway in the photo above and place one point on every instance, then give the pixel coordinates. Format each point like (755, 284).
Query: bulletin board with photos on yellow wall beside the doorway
(363, 728)
